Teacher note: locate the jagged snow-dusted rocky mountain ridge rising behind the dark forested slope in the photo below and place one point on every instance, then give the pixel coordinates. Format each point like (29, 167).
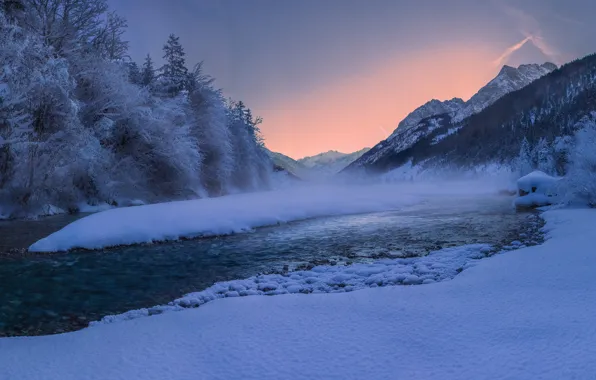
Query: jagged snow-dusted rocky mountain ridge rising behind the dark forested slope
(435, 115)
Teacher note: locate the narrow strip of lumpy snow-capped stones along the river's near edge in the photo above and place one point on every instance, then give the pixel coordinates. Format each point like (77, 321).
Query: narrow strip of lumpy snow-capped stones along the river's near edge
(437, 266)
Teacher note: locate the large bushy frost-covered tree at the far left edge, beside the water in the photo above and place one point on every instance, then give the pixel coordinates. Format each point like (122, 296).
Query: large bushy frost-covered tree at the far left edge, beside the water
(41, 130)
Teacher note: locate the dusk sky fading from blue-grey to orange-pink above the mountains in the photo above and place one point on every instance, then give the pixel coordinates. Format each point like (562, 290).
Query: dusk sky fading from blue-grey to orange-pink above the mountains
(341, 74)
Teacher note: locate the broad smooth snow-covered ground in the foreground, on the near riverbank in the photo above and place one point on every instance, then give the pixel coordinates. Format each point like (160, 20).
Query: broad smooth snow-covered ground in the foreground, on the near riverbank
(526, 314)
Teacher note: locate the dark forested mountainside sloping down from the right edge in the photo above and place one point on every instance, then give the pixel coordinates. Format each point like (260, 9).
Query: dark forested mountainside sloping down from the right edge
(535, 123)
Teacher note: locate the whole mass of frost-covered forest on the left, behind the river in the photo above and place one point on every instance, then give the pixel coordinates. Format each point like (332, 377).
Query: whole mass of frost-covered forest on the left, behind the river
(80, 122)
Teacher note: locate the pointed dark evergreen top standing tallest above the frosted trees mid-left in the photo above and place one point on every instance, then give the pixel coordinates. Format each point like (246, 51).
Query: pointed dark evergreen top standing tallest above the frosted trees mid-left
(174, 74)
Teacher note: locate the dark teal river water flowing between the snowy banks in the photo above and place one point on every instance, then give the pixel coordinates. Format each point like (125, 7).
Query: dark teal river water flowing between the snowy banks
(43, 294)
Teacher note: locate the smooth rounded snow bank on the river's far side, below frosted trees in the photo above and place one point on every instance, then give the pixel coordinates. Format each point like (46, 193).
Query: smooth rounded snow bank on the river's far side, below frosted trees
(238, 213)
